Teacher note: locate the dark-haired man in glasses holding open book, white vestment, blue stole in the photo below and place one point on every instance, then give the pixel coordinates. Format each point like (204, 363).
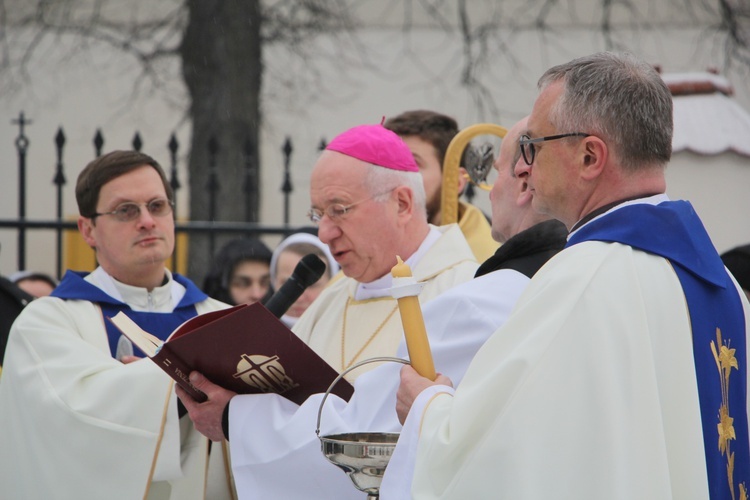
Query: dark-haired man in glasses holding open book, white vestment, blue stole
(80, 415)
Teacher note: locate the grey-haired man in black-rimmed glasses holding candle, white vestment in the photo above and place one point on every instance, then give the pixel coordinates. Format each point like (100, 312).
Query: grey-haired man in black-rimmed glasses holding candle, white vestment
(622, 371)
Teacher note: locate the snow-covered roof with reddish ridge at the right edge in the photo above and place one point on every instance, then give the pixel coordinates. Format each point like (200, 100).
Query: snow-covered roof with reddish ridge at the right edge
(707, 120)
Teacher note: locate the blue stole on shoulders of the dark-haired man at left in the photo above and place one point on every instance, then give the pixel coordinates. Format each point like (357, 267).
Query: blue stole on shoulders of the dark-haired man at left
(160, 324)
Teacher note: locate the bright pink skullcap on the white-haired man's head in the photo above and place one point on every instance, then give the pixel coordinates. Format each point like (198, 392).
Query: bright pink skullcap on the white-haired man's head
(377, 145)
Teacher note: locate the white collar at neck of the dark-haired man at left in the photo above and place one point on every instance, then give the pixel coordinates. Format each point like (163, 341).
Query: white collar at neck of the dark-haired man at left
(161, 299)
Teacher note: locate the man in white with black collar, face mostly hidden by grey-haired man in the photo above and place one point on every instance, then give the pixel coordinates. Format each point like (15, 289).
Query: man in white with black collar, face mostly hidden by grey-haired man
(273, 439)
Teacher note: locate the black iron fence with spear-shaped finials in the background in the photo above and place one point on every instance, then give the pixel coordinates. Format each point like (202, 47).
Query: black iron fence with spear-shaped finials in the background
(212, 228)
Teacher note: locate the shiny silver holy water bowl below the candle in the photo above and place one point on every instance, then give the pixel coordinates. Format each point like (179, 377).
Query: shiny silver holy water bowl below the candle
(362, 455)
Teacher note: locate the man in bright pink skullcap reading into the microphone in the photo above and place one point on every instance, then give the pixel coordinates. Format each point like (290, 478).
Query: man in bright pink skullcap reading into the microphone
(368, 201)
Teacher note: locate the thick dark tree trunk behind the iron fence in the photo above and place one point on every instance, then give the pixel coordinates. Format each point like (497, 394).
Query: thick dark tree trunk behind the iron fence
(221, 58)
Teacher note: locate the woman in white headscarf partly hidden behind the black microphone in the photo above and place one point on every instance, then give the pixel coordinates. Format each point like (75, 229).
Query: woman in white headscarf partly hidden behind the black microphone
(285, 258)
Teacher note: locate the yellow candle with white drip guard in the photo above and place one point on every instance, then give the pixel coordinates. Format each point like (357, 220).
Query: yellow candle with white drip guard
(406, 290)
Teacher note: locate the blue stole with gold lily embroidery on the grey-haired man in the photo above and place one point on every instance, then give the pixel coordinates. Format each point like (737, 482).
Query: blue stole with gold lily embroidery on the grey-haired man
(673, 230)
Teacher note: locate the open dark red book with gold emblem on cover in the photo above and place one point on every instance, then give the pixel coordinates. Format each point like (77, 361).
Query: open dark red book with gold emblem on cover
(245, 349)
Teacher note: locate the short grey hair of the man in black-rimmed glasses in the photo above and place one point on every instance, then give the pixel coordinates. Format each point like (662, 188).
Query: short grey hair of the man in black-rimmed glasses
(621, 100)
